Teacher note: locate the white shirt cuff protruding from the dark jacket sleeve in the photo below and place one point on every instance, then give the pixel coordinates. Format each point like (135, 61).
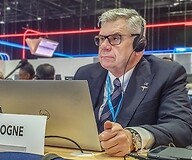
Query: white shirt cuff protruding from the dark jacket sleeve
(146, 137)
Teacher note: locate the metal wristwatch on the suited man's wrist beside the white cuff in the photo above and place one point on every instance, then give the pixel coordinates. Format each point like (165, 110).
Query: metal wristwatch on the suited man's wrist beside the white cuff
(136, 139)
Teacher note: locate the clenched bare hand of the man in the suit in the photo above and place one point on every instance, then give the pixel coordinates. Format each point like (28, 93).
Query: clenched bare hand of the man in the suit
(115, 140)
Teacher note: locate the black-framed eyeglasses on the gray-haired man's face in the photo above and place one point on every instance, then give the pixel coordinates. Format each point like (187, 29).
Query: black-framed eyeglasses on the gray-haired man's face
(114, 39)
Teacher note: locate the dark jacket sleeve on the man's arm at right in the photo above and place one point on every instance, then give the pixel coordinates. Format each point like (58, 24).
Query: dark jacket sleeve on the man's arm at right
(174, 121)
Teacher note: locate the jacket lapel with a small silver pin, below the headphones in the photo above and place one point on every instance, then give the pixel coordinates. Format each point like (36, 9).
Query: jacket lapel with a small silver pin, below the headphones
(136, 90)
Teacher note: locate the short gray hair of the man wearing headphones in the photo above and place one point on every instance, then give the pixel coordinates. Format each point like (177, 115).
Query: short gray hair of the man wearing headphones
(134, 19)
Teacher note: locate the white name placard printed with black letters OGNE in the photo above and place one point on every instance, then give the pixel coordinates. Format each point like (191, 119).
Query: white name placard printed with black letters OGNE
(24, 133)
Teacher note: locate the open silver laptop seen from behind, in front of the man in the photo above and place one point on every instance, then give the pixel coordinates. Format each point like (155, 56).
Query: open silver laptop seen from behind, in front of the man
(67, 105)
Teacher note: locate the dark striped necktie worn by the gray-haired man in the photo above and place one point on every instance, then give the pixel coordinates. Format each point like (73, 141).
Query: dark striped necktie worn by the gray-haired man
(115, 99)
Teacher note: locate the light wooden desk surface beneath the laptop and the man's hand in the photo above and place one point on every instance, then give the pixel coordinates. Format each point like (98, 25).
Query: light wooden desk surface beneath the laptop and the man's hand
(76, 154)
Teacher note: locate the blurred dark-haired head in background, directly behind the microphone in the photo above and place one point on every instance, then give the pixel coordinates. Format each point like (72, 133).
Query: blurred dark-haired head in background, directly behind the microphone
(26, 72)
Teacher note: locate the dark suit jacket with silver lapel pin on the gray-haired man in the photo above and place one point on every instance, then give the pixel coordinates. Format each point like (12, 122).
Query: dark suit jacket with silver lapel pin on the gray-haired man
(162, 107)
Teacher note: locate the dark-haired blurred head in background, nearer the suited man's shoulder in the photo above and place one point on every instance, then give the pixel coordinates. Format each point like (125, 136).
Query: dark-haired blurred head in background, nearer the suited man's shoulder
(45, 72)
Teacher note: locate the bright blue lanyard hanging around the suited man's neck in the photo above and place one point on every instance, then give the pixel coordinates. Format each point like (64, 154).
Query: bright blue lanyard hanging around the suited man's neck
(111, 107)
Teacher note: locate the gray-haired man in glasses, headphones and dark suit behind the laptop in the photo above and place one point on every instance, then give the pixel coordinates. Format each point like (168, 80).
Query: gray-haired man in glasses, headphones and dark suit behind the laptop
(153, 107)
